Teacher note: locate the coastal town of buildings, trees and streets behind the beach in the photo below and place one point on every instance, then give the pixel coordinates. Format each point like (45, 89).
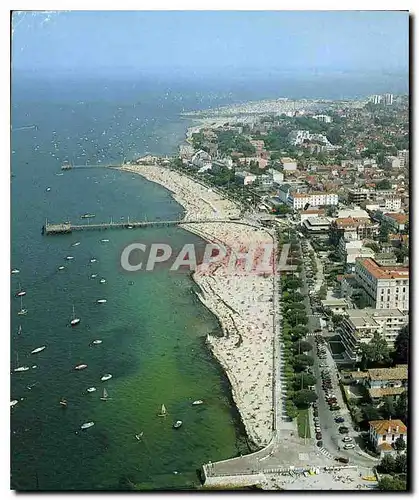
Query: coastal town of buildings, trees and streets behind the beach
(332, 179)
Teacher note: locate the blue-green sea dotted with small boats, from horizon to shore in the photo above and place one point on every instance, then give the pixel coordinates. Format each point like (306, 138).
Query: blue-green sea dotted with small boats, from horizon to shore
(152, 327)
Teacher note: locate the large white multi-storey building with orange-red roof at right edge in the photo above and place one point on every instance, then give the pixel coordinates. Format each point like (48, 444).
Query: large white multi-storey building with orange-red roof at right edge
(385, 287)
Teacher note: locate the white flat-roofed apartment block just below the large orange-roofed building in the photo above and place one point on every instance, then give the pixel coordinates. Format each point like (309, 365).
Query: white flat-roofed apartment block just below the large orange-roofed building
(359, 326)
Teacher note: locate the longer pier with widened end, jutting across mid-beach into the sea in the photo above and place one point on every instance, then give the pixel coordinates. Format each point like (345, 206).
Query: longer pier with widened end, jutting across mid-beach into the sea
(67, 227)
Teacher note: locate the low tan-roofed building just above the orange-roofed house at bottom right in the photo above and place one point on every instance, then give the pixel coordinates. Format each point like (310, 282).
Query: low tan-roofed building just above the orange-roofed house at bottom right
(383, 382)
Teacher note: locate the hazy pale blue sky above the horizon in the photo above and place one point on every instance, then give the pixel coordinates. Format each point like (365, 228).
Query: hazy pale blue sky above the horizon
(207, 42)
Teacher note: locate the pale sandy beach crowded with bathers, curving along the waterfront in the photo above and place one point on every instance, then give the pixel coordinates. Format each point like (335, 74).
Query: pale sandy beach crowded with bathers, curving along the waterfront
(241, 300)
